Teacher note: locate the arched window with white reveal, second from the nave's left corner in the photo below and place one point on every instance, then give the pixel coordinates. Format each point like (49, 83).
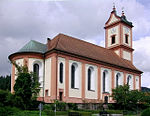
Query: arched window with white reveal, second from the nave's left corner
(74, 76)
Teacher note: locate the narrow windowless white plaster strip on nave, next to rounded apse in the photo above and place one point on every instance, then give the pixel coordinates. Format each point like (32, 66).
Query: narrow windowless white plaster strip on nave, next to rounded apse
(48, 75)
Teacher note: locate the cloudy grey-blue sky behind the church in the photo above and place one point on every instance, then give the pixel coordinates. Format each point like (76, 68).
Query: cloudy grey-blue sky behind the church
(22, 21)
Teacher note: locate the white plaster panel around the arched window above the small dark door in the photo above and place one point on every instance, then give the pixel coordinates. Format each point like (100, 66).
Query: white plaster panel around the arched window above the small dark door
(108, 81)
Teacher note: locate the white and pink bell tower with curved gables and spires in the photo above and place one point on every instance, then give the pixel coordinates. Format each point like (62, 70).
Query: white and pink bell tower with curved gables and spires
(118, 35)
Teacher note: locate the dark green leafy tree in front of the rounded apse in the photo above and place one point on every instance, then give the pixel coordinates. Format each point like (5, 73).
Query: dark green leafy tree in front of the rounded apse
(26, 86)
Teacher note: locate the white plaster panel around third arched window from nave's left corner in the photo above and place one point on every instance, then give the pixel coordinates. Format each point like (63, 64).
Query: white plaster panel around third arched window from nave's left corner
(91, 94)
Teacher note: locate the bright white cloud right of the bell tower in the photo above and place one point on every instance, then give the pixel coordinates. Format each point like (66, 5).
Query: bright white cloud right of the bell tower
(142, 58)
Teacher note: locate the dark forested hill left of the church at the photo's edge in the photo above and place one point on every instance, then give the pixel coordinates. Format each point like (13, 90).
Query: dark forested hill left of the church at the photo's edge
(5, 82)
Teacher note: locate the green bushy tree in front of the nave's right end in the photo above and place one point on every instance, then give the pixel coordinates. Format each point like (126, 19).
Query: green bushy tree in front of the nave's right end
(126, 98)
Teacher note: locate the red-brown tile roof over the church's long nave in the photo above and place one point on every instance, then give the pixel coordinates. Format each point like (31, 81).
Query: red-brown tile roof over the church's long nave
(82, 48)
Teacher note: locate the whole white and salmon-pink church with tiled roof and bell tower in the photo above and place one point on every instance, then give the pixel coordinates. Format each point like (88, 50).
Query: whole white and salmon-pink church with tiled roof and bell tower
(76, 71)
